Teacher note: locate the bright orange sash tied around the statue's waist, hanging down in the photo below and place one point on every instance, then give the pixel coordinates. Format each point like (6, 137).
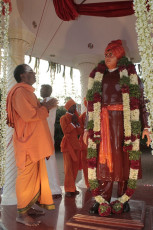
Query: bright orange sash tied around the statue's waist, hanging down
(105, 152)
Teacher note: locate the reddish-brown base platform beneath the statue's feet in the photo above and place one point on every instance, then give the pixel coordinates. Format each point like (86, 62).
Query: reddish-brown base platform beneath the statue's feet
(131, 220)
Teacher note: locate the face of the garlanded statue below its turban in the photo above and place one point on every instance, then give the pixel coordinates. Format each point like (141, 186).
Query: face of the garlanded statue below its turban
(110, 60)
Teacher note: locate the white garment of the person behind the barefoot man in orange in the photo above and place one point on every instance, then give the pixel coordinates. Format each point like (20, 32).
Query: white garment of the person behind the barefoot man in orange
(51, 163)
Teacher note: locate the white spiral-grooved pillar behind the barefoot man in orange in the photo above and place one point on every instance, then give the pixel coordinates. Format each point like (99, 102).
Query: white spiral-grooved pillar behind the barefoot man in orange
(17, 48)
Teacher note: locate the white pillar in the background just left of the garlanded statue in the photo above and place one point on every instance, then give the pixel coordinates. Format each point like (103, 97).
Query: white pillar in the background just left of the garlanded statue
(85, 69)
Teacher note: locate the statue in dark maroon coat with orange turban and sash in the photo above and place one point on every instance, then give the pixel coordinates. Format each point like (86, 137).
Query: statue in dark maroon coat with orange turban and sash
(113, 164)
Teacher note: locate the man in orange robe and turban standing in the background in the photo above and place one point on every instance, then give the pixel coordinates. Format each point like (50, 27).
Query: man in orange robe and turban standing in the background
(70, 147)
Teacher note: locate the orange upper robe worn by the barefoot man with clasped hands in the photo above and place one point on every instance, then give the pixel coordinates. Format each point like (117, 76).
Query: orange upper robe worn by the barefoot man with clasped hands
(31, 132)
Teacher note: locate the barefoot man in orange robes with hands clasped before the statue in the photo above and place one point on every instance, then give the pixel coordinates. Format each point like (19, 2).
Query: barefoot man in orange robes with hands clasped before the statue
(32, 144)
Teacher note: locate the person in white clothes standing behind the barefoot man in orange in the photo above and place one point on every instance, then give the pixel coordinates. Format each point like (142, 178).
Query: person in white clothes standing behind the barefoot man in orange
(45, 93)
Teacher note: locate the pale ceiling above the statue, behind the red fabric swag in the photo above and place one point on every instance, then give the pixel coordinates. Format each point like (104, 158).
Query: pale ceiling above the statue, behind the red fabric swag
(67, 42)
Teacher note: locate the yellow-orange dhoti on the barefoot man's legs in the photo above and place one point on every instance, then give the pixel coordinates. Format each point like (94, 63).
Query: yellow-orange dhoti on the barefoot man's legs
(32, 186)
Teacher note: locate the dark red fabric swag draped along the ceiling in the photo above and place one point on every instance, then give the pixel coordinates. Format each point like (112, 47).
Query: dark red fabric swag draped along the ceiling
(67, 10)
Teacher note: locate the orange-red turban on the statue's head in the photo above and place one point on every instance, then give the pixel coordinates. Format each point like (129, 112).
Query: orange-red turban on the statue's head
(116, 48)
